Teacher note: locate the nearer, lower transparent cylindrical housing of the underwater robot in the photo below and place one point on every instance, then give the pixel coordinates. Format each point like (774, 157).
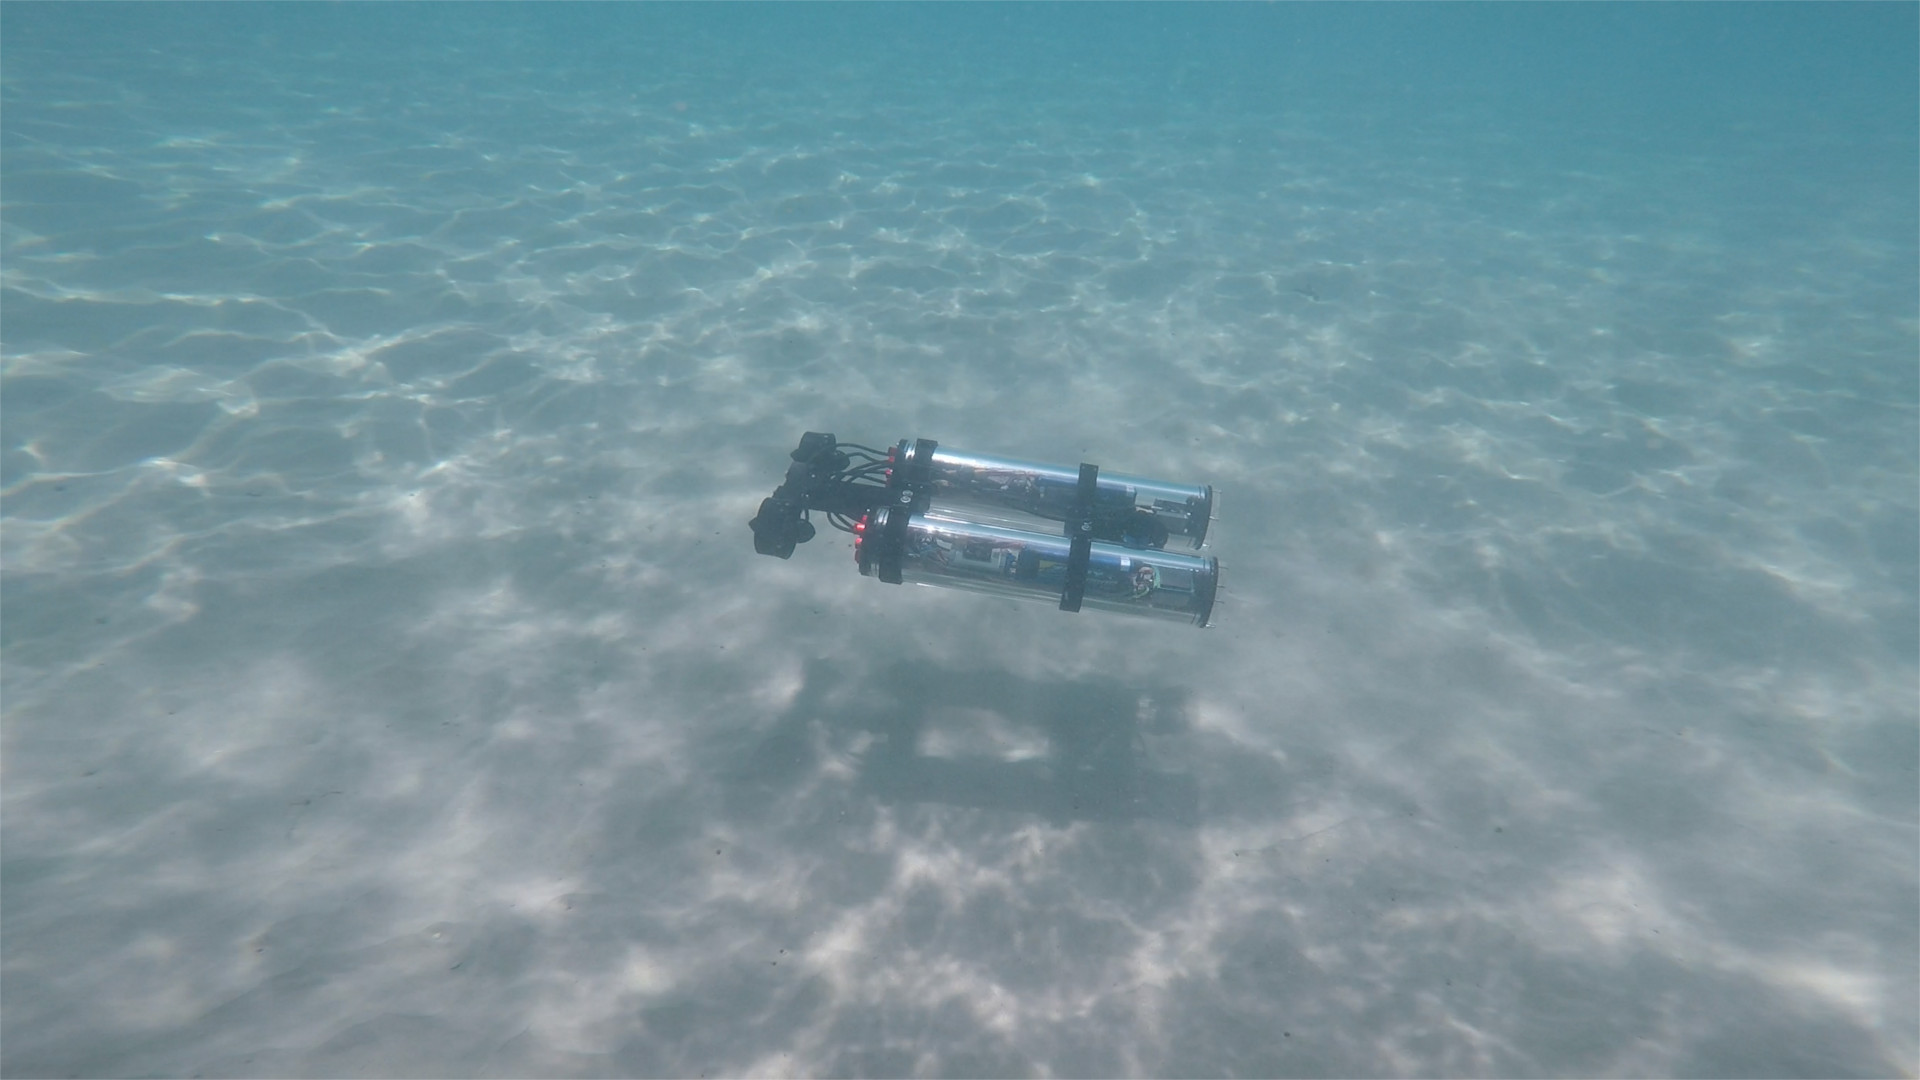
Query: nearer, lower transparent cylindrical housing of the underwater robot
(934, 549)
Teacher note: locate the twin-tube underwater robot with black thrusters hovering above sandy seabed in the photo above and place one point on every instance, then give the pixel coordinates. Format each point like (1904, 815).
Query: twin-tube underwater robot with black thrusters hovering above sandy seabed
(921, 514)
